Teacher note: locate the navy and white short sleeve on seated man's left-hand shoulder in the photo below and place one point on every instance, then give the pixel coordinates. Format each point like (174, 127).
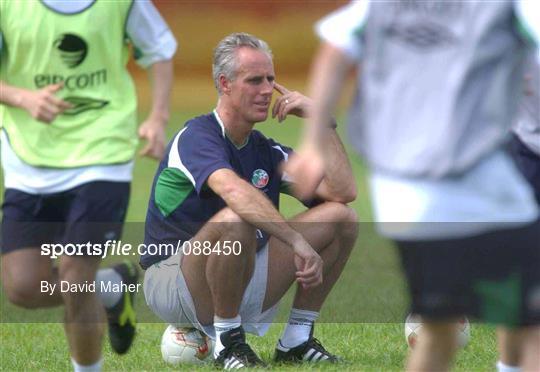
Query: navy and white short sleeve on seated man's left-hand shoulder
(198, 152)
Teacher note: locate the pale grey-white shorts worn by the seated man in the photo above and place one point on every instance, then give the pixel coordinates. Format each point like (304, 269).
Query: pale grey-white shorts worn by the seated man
(168, 296)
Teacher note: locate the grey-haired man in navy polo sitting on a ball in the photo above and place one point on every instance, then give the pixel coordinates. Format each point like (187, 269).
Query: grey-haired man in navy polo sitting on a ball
(218, 187)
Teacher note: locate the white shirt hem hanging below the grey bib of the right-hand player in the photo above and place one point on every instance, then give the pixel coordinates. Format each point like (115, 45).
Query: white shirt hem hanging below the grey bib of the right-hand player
(491, 196)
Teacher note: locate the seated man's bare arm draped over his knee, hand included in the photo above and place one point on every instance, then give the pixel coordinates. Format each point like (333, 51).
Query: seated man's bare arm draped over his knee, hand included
(256, 209)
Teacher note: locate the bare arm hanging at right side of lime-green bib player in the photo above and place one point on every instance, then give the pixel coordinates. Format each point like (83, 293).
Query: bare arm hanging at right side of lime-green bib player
(153, 128)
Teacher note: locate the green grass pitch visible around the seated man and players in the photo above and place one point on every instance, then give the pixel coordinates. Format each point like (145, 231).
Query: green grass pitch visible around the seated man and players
(361, 320)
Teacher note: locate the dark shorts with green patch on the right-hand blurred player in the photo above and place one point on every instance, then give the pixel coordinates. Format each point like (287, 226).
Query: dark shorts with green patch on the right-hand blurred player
(493, 277)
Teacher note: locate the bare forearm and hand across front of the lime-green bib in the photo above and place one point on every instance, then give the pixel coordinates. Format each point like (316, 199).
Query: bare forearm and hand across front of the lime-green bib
(41, 104)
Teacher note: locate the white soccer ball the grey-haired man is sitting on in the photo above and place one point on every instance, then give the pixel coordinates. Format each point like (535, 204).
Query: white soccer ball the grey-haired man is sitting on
(185, 345)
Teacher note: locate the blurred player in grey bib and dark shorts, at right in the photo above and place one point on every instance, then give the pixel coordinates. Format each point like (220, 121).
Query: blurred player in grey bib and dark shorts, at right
(437, 91)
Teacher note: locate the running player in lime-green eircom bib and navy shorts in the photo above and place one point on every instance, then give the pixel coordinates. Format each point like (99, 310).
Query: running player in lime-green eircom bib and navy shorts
(69, 136)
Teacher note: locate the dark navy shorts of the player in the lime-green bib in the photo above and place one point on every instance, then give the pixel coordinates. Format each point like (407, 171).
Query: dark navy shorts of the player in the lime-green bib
(93, 212)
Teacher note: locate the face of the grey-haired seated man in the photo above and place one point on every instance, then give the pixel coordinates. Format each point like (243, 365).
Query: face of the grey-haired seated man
(251, 91)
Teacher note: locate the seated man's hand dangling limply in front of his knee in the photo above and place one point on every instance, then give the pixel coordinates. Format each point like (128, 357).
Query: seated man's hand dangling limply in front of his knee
(308, 263)
